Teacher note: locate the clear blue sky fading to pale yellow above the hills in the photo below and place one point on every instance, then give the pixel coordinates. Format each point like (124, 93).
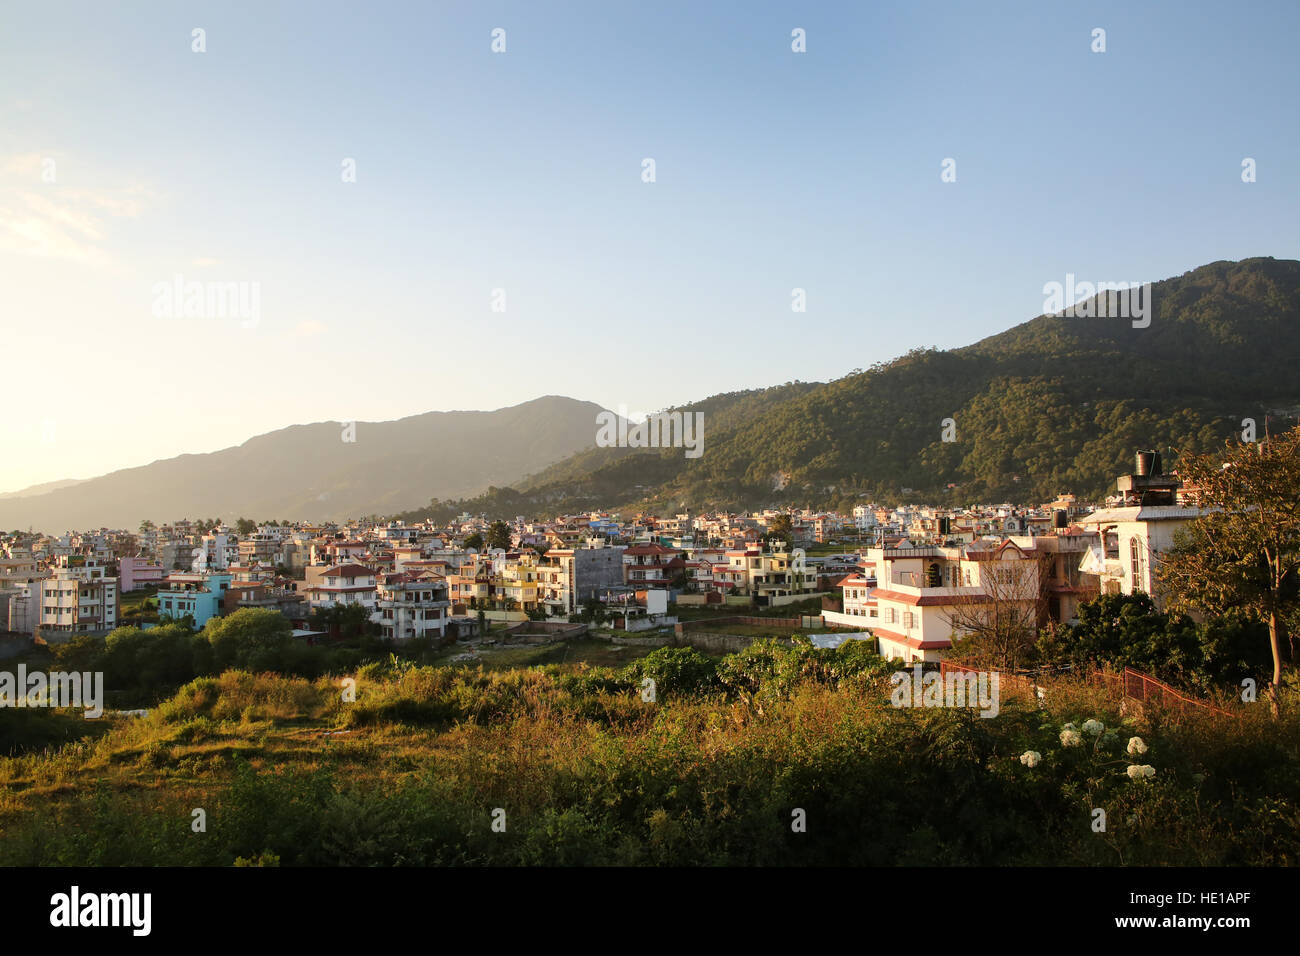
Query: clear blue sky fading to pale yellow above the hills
(131, 162)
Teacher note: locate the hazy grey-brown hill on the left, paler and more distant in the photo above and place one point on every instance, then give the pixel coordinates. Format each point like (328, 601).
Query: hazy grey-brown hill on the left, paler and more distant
(310, 473)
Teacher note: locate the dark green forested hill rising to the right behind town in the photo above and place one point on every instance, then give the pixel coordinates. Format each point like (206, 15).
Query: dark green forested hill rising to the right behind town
(1052, 405)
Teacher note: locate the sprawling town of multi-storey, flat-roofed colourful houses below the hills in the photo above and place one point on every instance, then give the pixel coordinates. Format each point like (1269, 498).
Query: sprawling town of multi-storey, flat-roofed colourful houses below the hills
(900, 577)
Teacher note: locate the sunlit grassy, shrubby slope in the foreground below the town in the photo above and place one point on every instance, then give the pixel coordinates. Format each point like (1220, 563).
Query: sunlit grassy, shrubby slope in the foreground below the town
(587, 773)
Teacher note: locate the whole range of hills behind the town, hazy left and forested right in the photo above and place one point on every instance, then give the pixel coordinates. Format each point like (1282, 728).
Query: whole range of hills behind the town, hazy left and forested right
(1054, 405)
